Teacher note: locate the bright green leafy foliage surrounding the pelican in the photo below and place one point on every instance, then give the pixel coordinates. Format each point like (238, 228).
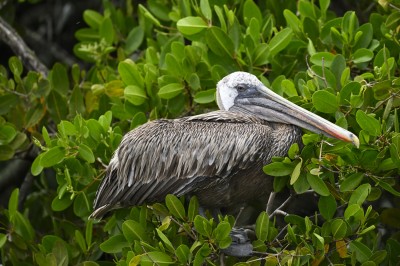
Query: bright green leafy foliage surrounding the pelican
(162, 60)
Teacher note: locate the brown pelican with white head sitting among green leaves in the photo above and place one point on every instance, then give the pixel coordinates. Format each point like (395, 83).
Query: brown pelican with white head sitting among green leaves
(217, 156)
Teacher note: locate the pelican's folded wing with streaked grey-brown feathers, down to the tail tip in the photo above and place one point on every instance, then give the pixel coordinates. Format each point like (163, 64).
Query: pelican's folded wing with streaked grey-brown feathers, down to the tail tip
(179, 157)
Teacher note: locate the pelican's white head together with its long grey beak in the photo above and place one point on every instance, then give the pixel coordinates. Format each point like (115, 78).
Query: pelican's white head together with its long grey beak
(243, 92)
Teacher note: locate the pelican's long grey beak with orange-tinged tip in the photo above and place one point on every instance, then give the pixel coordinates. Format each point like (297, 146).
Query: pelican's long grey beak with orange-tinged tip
(266, 104)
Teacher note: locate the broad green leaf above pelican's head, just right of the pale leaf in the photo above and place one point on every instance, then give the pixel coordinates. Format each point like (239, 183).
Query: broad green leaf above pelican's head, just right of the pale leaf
(219, 42)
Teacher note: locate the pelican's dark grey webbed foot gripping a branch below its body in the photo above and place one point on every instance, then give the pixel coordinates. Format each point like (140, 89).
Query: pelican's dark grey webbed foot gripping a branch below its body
(241, 245)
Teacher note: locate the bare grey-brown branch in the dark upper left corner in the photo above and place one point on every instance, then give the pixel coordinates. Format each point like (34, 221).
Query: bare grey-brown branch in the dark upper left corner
(9, 36)
